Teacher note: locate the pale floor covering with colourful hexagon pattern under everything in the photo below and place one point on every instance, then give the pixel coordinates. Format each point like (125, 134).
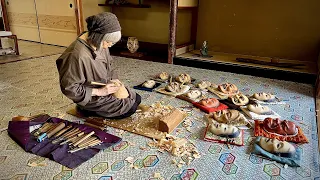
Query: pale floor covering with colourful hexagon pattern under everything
(31, 87)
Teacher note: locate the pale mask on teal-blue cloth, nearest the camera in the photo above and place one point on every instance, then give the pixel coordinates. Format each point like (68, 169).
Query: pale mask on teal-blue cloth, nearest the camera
(274, 146)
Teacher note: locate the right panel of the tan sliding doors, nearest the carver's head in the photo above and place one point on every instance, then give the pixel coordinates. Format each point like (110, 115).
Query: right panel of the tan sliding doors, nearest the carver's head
(57, 21)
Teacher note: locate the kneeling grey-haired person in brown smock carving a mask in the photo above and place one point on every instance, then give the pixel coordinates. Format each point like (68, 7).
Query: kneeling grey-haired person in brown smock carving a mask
(88, 60)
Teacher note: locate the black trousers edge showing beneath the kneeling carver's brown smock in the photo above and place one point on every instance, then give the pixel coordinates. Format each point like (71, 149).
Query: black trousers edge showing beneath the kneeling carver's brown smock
(127, 114)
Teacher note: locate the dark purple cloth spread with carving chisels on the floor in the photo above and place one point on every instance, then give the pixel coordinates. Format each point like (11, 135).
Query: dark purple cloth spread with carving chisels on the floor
(67, 143)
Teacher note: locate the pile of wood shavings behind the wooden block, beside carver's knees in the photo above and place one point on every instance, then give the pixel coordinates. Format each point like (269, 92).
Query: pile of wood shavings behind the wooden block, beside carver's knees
(155, 110)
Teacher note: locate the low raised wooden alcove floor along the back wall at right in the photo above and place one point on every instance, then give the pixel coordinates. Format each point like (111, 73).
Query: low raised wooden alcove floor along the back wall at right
(227, 58)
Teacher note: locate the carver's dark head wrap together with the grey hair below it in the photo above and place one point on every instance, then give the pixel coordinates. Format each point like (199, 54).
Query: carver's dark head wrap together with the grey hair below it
(101, 24)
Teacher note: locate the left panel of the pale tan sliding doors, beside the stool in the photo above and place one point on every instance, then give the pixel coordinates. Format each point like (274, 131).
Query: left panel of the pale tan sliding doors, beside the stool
(23, 19)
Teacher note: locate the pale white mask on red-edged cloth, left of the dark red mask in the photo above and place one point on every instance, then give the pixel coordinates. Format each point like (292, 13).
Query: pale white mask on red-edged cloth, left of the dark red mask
(224, 130)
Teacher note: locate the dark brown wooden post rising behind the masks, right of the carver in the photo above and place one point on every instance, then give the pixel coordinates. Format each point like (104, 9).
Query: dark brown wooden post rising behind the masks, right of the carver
(172, 30)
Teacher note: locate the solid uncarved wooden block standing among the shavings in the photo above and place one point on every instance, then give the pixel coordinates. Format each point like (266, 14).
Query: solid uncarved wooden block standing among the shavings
(171, 121)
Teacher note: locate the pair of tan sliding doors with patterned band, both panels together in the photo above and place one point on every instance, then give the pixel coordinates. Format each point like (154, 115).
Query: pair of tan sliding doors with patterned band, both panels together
(44, 21)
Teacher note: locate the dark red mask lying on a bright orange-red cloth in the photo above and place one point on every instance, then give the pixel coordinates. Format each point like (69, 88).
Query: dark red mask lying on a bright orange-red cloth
(280, 127)
